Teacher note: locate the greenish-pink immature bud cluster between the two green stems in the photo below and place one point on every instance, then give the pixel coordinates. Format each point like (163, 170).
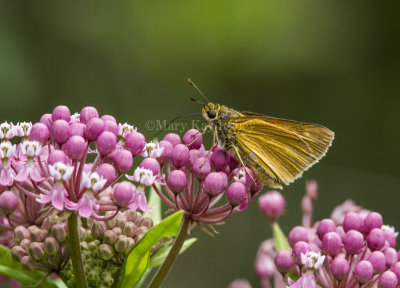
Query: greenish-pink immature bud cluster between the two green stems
(104, 246)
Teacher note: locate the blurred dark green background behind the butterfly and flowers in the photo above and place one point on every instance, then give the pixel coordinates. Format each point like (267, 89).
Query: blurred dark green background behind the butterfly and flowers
(335, 63)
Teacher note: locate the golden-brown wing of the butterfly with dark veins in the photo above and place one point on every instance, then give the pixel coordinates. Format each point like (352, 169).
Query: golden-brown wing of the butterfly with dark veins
(281, 148)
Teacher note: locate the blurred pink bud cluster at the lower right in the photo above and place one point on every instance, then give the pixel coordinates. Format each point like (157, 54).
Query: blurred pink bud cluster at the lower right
(351, 249)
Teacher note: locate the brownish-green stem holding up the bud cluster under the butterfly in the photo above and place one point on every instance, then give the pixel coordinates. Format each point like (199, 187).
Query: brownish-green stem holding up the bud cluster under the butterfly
(172, 255)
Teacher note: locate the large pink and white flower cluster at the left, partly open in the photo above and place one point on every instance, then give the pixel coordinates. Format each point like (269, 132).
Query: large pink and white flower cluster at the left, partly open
(70, 163)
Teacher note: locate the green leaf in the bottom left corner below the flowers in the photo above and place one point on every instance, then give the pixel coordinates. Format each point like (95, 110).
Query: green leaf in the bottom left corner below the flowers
(13, 269)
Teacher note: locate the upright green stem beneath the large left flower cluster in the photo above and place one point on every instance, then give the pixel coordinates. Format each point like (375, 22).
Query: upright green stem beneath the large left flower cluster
(75, 250)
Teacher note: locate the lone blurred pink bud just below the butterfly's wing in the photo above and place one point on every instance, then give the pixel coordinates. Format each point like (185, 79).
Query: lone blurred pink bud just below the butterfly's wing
(272, 205)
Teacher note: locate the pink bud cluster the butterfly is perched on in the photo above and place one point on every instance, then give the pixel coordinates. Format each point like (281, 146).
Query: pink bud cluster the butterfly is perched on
(198, 179)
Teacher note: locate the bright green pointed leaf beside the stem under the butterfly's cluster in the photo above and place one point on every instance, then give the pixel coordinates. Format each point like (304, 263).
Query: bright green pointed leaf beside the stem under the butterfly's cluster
(137, 260)
